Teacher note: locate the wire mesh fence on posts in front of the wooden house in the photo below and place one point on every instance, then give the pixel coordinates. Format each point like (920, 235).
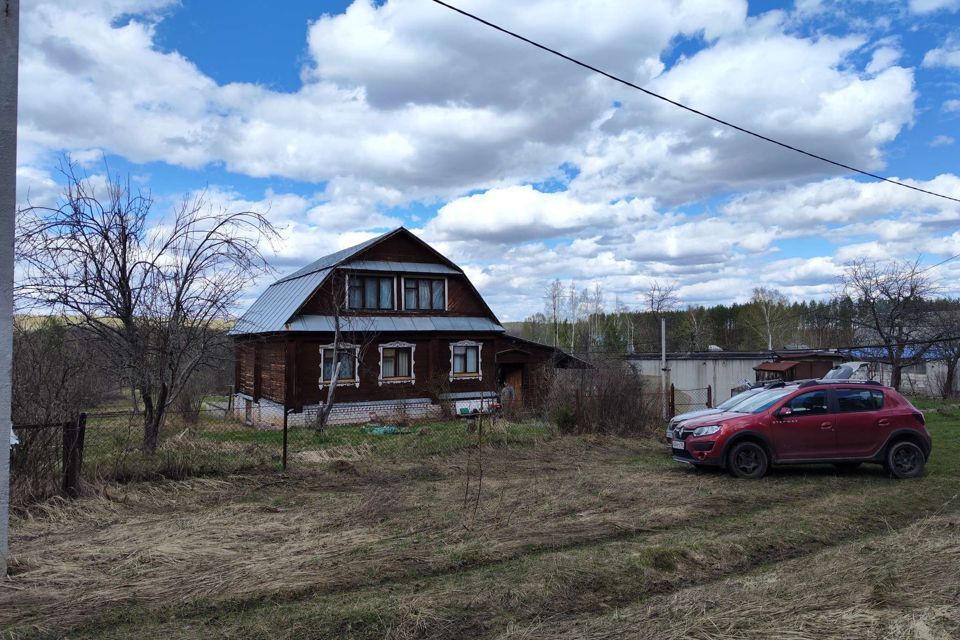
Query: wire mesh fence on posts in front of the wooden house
(78, 456)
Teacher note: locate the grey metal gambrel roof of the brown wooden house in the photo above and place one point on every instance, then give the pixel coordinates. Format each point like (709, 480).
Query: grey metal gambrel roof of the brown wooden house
(276, 308)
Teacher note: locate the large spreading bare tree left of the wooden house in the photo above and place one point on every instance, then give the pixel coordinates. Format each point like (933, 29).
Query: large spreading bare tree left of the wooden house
(156, 293)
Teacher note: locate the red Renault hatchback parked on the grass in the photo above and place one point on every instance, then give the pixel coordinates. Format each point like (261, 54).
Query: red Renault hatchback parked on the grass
(843, 422)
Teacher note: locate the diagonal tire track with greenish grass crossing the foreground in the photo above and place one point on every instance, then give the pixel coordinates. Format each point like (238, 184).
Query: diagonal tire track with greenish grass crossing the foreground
(601, 572)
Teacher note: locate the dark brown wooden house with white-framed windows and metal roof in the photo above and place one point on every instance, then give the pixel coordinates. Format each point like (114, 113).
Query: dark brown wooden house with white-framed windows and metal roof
(414, 333)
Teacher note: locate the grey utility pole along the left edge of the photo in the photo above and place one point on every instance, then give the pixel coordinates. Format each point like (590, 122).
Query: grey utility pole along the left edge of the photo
(9, 51)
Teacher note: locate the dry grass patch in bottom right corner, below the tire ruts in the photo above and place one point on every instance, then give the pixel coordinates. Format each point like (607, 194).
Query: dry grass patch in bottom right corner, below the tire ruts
(903, 585)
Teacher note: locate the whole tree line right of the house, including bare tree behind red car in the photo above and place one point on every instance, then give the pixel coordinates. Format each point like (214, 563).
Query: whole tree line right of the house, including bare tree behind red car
(886, 310)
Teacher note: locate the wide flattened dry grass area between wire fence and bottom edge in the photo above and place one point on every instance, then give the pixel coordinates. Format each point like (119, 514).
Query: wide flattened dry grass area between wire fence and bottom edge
(356, 548)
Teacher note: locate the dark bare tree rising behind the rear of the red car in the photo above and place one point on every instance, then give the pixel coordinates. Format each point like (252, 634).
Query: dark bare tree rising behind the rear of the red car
(891, 309)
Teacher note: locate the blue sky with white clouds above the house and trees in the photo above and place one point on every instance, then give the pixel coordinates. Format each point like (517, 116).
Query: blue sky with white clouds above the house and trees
(343, 120)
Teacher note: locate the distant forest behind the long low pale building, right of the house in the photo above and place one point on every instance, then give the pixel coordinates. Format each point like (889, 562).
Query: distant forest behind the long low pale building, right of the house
(580, 322)
